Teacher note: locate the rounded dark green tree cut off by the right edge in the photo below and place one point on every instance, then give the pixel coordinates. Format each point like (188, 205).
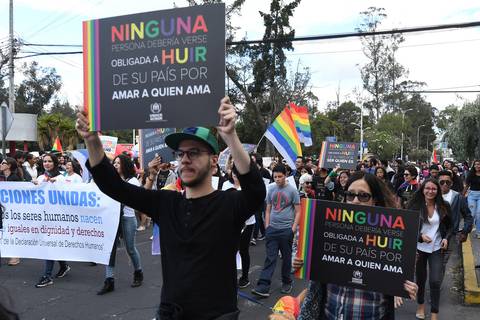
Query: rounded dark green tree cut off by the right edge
(462, 133)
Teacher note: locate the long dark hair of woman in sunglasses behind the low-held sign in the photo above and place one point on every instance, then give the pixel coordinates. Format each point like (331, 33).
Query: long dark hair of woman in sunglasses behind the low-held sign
(380, 192)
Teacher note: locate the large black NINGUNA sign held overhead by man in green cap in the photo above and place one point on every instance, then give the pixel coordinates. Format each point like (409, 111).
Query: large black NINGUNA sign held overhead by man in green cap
(160, 69)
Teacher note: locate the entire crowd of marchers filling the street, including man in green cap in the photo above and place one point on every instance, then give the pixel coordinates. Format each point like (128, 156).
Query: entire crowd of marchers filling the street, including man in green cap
(241, 212)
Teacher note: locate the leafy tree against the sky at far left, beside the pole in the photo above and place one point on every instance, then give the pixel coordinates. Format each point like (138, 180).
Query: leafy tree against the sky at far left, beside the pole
(37, 89)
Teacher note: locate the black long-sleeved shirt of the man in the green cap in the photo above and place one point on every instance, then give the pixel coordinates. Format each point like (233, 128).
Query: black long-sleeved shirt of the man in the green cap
(198, 237)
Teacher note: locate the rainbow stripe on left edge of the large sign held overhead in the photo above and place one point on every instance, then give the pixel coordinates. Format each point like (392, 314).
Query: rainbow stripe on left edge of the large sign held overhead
(91, 72)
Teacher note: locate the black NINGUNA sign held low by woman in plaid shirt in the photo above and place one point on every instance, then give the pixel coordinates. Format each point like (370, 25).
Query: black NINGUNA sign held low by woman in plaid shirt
(365, 247)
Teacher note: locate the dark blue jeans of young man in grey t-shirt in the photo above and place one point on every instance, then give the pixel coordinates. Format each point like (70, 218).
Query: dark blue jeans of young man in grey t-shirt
(277, 239)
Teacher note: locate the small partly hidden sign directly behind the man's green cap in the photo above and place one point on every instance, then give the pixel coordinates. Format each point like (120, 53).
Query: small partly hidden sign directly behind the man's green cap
(152, 141)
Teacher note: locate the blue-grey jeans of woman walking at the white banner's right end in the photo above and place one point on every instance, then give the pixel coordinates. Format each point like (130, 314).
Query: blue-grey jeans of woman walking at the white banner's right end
(129, 229)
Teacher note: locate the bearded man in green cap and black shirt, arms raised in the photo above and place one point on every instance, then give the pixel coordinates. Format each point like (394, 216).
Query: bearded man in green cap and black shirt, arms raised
(200, 228)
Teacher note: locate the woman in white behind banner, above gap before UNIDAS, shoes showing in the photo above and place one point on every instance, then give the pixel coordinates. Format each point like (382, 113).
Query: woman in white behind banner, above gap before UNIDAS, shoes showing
(51, 174)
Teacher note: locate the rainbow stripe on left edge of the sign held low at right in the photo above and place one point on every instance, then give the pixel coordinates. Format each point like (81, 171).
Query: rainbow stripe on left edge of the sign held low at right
(305, 238)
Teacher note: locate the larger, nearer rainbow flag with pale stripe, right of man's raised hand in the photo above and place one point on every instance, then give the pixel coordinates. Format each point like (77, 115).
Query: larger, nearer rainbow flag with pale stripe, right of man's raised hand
(283, 135)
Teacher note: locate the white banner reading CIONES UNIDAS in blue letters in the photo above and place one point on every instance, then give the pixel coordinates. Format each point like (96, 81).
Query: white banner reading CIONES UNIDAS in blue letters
(57, 221)
